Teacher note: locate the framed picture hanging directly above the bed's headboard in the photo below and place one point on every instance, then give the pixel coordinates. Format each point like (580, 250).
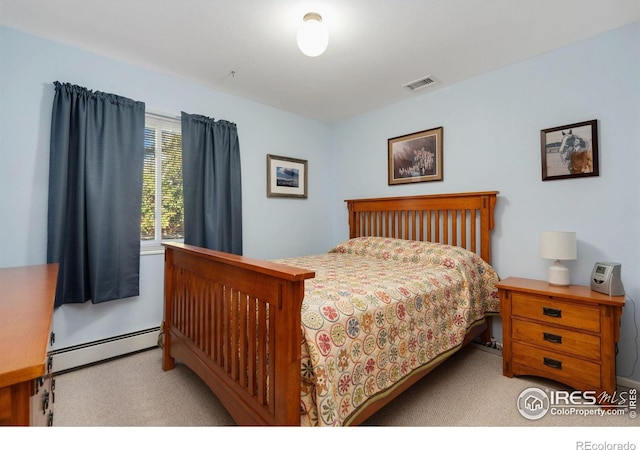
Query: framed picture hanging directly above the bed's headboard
(416, 157)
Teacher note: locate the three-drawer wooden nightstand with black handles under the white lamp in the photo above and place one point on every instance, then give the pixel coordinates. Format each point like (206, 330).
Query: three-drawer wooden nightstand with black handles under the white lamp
(564, 333)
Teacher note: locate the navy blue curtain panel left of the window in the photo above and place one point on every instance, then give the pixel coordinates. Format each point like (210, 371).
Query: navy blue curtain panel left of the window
(95, 194)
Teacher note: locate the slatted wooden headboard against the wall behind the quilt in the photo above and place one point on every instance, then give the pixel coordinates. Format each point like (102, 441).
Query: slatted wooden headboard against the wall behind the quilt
(462, 219)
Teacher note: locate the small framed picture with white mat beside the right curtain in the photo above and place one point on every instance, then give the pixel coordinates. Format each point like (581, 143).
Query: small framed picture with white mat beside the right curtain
(286, 177)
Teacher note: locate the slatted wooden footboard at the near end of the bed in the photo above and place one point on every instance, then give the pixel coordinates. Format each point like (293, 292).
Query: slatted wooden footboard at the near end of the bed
(235, 322)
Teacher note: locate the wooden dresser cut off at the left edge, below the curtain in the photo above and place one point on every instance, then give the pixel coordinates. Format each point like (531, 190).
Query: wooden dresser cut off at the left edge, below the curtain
(26, 308)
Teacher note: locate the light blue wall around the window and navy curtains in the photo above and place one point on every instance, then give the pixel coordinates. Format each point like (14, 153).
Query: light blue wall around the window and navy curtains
(273, 228)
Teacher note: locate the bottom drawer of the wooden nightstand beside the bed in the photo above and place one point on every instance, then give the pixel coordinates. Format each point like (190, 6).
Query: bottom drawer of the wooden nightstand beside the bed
(556, 366)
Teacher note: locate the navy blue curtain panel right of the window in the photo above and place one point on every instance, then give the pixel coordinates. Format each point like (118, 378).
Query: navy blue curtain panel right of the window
(212, 184)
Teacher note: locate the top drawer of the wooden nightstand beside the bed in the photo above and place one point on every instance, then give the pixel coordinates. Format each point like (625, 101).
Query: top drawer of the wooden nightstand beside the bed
(584, 317)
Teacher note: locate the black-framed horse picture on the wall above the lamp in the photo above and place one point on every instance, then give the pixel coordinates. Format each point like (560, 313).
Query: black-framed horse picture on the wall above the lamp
(570, 151)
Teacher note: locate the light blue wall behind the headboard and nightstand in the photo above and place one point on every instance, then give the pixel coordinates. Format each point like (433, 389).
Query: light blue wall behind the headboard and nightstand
(491, 141)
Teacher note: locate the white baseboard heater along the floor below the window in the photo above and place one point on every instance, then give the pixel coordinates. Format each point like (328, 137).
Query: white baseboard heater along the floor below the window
(77, 356)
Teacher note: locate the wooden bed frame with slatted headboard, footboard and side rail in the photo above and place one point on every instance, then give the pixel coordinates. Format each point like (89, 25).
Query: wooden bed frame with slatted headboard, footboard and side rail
(236, 321)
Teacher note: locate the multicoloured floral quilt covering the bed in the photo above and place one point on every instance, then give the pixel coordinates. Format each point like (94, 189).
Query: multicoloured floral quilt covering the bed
(378, 310)
